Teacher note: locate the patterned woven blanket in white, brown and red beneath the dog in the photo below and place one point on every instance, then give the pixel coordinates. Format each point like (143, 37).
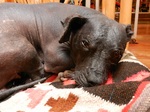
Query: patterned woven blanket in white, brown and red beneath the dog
(126, 90)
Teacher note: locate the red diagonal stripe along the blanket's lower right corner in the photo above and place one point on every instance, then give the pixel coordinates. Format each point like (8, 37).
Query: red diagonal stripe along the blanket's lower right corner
(137, 94)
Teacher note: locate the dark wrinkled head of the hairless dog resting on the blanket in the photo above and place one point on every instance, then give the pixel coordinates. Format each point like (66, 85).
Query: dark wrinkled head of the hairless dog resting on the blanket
(97, 43)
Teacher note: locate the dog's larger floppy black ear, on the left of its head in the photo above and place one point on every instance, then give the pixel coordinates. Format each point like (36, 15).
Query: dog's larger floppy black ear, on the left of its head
(72, 24)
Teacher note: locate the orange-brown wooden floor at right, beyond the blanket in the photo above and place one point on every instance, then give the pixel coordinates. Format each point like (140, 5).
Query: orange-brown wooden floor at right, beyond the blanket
(142, 49)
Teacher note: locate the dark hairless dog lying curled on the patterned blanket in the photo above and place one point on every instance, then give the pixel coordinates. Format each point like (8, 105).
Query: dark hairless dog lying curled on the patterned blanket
(36, 39)
